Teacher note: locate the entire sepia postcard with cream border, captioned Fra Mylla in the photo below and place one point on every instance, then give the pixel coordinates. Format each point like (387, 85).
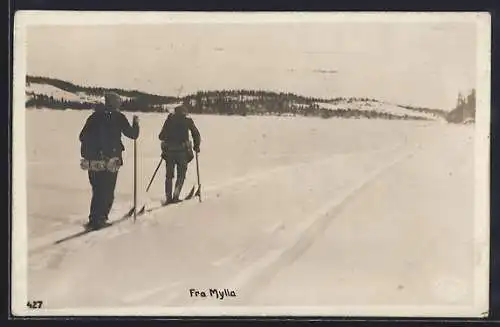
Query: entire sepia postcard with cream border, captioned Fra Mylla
(251, 164)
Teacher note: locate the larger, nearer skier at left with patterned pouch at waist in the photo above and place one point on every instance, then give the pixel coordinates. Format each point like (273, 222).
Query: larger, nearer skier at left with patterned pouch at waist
(101, 151)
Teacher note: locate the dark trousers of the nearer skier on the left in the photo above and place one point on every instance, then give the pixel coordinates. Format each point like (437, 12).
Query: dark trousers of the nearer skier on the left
(103, 190)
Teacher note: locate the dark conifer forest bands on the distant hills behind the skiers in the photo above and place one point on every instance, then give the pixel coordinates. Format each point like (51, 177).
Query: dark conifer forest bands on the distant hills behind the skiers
(221, 102)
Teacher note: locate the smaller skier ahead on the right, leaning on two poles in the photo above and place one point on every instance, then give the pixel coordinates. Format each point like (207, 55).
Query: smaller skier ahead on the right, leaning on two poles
(177, 150)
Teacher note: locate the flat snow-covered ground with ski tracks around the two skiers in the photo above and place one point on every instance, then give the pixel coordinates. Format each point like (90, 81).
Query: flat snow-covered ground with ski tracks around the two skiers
(296, 212)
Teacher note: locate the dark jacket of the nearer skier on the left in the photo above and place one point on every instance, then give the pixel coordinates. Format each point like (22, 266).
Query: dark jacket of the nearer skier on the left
(101, 136)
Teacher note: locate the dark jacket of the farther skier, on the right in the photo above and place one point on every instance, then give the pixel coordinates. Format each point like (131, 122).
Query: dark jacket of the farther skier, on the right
(176, 129)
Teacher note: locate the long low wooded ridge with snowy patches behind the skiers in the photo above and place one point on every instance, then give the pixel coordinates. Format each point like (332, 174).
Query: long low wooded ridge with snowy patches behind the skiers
(53, 93)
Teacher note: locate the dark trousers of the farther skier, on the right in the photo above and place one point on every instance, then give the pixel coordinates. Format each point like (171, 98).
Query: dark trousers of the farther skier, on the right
(175, 159)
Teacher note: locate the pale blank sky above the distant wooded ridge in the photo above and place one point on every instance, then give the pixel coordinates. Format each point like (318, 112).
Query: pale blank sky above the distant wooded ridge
(423, 64)
